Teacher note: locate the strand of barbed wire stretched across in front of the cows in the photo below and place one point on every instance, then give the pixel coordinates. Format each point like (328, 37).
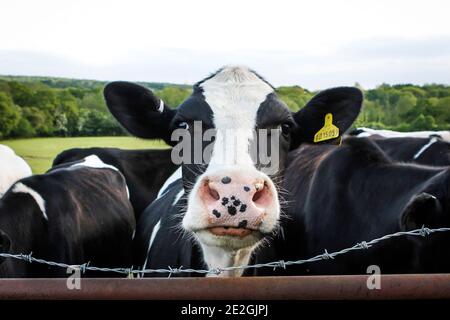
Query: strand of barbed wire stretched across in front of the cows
(363, 245)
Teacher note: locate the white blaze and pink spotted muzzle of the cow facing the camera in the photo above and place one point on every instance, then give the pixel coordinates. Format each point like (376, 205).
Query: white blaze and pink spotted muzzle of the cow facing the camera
(232, 204)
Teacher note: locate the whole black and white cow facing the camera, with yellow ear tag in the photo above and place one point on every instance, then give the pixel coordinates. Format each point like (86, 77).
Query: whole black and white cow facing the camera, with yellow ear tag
(228, 205)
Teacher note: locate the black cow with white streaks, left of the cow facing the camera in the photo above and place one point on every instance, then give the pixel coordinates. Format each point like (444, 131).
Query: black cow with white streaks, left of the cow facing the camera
(74, 214)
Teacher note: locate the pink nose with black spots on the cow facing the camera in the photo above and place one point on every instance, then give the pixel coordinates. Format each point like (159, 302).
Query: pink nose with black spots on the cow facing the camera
(235, 206)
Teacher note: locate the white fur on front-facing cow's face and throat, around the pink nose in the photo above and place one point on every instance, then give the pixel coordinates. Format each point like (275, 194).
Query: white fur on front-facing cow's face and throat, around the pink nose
(234, 95)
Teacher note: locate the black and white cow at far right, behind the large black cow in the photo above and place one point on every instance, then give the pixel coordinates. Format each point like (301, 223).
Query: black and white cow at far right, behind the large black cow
(430, 150)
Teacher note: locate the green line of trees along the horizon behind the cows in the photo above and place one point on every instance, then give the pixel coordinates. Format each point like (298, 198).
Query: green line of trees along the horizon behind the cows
(46, 107)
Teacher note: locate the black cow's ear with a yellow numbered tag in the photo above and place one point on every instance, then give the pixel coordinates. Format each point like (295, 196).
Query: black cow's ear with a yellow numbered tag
(327, 115)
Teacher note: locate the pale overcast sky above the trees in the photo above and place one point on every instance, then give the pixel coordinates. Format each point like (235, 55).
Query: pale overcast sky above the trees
(314, 43)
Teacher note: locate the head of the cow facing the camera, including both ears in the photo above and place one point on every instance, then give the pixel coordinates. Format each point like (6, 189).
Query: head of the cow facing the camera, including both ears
(232, 201)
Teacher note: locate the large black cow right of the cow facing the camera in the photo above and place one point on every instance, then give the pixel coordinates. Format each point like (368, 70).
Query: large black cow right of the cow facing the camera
(344, 195)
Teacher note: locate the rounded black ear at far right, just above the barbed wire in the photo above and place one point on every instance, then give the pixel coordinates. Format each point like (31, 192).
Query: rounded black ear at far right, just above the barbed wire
(423, 209)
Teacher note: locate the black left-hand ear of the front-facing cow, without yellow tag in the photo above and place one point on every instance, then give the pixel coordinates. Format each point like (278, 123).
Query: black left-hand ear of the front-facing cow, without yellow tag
(139, 110)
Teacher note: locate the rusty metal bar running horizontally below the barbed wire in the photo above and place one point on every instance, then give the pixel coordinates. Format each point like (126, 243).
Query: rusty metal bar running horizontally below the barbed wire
(436, 286)
